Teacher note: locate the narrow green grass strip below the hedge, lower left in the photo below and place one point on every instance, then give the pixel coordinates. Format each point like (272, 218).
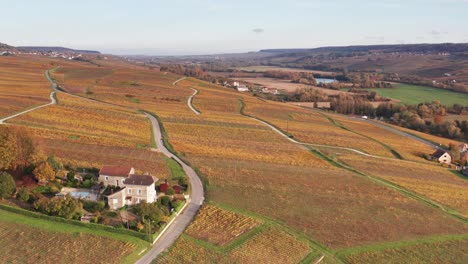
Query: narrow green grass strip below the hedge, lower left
(141, 245)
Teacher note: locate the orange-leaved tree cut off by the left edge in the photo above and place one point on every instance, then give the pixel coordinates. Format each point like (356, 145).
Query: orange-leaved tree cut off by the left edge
(8, 148)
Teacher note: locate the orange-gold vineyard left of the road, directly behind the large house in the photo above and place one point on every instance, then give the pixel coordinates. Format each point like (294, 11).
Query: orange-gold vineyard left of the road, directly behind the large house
(86, 133)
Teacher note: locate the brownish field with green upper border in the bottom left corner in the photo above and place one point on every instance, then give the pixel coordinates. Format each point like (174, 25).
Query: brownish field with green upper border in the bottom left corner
(40, 241)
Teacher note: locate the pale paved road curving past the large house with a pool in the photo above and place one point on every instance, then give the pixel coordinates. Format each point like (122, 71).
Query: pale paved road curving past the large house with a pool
(187, 215)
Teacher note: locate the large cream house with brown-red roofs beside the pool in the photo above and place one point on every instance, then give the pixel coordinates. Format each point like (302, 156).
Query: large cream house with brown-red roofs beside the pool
(135, 188)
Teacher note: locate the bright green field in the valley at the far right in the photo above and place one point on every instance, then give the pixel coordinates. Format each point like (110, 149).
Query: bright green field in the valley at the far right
(415, 94)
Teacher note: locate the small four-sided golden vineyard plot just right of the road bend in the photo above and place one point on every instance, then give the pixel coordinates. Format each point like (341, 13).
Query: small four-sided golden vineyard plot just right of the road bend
(218, 226)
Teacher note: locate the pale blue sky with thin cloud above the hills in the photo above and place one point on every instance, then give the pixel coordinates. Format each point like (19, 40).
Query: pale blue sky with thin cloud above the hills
(191, 27)
